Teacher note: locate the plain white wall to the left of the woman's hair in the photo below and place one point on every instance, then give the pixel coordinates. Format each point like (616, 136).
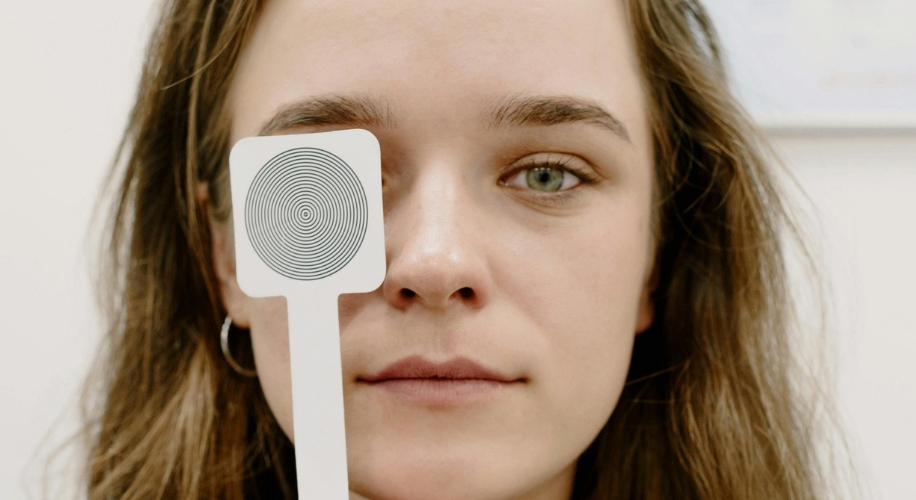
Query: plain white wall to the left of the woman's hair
(67, 73)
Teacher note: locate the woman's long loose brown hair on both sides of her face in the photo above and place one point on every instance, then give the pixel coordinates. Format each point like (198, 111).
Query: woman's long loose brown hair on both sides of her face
(710, 409)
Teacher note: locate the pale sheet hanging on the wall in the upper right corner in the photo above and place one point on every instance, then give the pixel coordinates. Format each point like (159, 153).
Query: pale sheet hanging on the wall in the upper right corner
(822, 63)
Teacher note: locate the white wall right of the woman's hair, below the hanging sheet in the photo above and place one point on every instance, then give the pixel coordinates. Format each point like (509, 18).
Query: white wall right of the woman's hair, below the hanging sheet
(864, 191)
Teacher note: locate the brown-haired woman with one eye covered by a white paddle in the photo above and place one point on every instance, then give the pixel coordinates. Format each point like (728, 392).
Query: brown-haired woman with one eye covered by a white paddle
(574, 205)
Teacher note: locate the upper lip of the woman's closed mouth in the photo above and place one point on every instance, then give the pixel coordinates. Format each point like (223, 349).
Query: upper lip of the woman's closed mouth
(418, 368)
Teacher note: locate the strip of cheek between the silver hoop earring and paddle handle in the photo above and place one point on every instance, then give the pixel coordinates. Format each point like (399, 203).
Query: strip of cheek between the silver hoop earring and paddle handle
(270, 342)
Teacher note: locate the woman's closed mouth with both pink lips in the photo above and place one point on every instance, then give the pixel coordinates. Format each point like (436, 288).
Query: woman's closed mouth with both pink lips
(458, 381)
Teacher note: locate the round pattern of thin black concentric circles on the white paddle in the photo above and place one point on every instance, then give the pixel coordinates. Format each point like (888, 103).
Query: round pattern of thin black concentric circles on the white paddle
(306, 214)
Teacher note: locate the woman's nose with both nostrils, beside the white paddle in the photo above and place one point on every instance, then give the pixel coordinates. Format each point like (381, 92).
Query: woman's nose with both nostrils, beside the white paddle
(436, 247)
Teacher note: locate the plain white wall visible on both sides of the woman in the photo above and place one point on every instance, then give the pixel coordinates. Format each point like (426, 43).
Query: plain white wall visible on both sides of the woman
(68, 74)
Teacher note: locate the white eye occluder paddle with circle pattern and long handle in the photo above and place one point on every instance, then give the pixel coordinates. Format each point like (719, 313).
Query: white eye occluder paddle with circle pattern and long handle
(308, 223)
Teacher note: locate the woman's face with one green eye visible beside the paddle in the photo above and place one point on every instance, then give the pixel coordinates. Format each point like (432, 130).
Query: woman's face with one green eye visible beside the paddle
(517, 171)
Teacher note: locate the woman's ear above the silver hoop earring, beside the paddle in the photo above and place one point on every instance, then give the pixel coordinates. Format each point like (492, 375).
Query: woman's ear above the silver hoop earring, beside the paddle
(234, 300)
